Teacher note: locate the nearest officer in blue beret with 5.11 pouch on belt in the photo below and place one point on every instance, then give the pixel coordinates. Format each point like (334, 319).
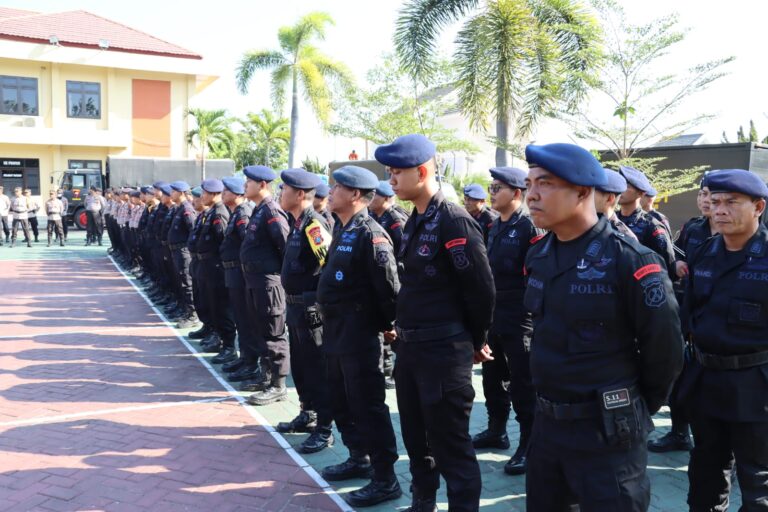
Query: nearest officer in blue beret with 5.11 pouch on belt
(606, 345)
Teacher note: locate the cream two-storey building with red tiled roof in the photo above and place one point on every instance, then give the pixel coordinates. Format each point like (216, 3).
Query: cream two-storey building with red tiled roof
(76, 88)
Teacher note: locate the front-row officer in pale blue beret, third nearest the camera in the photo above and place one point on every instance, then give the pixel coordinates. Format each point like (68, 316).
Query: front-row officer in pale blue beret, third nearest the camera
(357, 293)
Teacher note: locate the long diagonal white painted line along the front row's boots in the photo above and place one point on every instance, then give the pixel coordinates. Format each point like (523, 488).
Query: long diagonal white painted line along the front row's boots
(285, 445)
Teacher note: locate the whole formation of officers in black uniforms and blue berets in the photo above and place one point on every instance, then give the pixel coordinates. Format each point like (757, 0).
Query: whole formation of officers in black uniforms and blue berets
(577, 329)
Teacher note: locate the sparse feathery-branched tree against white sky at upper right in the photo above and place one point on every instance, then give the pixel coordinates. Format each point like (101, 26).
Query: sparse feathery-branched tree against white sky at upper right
(636, 99)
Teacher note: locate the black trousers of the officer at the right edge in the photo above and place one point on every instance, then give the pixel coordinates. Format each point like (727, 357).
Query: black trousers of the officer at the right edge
(718, 445)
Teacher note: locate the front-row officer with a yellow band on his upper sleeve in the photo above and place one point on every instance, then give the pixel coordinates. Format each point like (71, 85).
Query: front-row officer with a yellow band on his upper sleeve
(305, 254)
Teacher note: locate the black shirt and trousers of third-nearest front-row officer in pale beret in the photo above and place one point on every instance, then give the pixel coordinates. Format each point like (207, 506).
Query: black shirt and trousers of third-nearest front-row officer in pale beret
(356, 294)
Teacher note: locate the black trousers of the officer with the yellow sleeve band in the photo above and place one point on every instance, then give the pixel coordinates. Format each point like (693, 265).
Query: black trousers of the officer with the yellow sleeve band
(308, 364)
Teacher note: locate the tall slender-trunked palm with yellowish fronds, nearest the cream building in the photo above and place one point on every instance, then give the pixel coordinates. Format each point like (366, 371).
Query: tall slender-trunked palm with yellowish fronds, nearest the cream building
(297, 62)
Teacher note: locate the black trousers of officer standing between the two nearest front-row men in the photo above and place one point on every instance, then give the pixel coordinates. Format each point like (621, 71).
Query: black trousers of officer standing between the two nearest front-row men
(507, 381)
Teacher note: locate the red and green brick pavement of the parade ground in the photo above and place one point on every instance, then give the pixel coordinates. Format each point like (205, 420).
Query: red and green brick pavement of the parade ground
(103, 406)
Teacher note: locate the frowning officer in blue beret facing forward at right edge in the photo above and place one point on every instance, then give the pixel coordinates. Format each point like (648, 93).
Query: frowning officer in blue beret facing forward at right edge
(727, 315)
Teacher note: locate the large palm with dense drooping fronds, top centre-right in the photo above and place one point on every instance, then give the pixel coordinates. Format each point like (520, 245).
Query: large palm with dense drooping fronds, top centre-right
(517, 60)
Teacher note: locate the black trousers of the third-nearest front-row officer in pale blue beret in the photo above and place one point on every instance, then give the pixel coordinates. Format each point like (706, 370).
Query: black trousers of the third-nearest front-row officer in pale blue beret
(358, 406)
